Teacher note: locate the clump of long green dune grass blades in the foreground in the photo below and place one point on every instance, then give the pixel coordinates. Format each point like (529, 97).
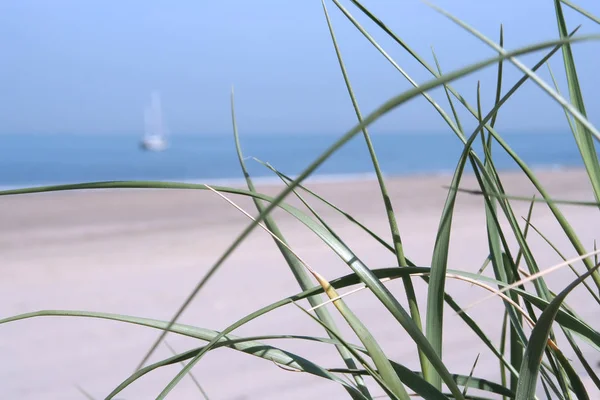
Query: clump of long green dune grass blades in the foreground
(535, 364)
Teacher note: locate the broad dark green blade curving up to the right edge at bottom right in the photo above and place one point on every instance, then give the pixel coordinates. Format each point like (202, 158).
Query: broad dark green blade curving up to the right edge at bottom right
(537, 343)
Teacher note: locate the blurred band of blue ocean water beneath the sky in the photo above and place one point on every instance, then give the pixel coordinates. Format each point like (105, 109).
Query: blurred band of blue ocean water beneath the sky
(56, 159)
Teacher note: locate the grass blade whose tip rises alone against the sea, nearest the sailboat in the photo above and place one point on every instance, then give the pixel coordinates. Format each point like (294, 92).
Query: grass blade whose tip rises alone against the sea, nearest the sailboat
(295, 265)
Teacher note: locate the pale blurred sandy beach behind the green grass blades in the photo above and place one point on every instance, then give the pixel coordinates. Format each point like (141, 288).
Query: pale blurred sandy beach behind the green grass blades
(140, 253)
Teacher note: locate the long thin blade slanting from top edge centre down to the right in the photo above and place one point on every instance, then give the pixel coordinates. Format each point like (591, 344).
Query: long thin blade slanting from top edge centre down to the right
(392, 221)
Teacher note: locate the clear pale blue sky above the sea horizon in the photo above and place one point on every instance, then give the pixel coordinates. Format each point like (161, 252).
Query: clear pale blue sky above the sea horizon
(89, 67)
